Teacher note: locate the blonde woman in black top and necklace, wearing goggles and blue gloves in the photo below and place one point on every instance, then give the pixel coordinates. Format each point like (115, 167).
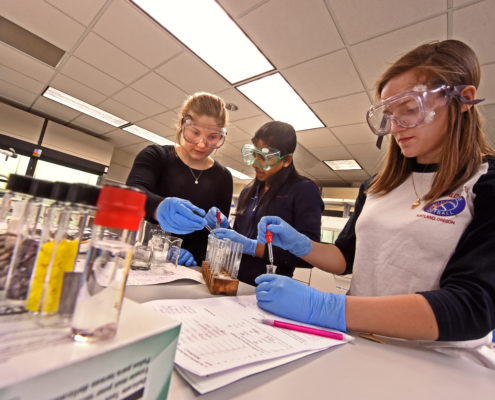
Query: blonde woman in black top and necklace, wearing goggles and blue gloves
(183, 182)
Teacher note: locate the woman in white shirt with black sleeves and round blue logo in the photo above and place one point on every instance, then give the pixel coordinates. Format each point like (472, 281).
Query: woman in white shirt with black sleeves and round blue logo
(421, 242)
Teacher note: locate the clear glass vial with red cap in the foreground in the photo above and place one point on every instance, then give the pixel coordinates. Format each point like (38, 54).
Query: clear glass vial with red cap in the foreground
(96, 315)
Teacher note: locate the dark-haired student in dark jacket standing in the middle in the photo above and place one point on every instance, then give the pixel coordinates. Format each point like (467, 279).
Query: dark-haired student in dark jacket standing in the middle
(277, 190)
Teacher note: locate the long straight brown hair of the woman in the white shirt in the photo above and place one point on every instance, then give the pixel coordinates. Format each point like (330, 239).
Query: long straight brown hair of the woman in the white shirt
(449, 62)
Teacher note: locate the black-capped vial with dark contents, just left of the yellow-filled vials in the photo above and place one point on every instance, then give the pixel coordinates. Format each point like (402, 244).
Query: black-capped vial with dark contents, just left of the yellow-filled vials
(27, 242)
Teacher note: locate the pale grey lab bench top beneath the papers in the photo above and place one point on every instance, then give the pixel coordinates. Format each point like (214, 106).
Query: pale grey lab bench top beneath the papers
(359, 370)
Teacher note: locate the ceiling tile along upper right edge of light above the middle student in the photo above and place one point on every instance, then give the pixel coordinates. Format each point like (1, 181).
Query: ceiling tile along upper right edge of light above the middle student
(326, 77)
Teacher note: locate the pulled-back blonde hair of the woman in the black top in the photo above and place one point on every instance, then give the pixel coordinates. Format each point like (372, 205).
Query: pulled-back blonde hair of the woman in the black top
(202, 103)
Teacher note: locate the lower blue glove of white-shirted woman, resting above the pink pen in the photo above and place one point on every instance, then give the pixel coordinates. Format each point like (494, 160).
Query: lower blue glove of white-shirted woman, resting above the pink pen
(291, 299)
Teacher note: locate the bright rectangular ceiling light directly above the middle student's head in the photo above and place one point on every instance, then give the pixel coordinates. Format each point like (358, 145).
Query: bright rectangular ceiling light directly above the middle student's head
(277, 98)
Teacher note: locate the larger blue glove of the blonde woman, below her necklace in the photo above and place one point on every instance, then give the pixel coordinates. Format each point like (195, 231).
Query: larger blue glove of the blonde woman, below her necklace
(176, 215)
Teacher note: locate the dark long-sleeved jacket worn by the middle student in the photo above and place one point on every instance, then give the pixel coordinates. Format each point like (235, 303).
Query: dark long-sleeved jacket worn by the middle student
(298, 203)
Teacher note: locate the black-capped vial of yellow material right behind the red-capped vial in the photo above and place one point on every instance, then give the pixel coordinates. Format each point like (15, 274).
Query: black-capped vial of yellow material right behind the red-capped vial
(58, 287)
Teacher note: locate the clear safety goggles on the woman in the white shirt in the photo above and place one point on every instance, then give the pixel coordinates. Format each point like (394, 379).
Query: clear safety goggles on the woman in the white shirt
(410, 109)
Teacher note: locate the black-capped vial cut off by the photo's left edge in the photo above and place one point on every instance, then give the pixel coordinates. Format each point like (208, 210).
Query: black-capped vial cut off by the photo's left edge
(11, 212)
